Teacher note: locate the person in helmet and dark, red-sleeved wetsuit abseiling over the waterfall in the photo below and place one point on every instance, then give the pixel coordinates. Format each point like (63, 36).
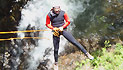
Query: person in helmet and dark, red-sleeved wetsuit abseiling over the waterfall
(57, 16)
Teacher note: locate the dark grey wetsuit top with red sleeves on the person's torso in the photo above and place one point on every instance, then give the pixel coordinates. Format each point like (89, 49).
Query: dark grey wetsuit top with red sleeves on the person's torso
(57, 20)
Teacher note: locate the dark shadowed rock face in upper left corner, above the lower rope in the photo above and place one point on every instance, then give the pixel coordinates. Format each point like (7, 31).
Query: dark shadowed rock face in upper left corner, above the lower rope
(10, 14)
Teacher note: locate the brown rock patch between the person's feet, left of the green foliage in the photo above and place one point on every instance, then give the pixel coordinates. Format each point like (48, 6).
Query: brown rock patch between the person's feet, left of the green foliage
(68, 62)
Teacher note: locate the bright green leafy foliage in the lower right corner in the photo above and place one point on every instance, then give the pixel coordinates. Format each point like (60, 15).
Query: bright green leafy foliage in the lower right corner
(112, 60)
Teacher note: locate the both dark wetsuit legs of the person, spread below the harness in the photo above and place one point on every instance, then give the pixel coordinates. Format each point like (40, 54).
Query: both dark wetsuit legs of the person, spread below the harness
(70, 38)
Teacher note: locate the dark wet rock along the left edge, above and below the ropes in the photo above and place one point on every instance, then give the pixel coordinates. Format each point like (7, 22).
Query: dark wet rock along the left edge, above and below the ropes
(10, 15)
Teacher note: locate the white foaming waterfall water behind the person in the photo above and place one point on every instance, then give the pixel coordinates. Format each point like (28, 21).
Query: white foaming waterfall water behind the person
(35, 13)
